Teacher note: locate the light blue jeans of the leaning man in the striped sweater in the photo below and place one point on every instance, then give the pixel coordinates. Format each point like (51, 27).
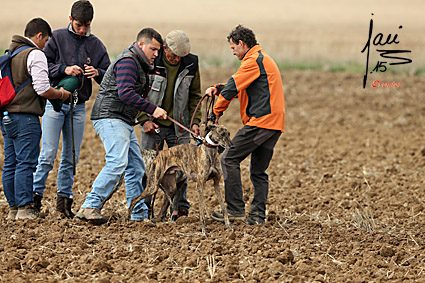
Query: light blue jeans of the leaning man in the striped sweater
(122, 155)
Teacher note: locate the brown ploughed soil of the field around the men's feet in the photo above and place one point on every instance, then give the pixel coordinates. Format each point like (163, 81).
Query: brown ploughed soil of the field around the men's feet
(346, 202)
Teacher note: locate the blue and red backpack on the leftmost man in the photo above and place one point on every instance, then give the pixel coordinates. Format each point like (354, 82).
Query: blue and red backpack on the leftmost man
(7, 88)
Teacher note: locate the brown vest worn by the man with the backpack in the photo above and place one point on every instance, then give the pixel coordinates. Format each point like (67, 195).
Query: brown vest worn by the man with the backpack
(27, 100)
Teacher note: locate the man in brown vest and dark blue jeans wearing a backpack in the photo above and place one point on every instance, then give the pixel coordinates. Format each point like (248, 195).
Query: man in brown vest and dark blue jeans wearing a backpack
(22, 136)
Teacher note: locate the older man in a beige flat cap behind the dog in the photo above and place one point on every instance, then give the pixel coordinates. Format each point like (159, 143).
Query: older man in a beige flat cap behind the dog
(175, 85)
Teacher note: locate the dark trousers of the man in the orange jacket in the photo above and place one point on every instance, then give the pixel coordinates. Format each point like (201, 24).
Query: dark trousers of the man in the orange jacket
(260, 144)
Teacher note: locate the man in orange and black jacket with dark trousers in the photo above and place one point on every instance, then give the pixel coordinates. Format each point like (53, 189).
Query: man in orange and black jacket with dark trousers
(258, 85)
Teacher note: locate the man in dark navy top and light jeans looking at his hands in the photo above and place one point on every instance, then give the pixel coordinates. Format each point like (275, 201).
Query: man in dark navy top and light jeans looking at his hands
(72, 51)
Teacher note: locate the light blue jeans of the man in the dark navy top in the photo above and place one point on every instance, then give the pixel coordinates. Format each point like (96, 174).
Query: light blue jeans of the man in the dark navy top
(53, 124)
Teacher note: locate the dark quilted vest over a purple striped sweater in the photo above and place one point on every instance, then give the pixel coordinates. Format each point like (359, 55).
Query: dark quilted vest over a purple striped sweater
(108, 104)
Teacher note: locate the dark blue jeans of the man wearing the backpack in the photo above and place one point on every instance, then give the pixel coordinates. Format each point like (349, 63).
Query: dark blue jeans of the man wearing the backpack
(20, 159)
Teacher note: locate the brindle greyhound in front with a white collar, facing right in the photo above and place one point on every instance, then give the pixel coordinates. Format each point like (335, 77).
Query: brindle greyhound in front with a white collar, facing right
(198, 163)
